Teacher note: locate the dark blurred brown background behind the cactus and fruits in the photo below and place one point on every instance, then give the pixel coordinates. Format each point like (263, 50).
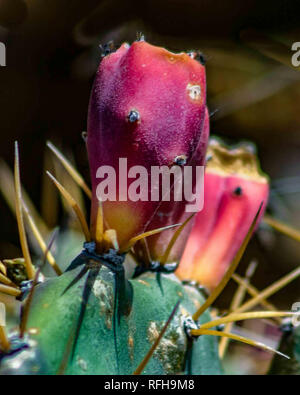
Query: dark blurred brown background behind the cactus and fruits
(253, 93)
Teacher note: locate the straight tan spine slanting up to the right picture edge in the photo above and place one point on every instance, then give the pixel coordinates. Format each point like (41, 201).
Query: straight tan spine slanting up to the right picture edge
(269, 291)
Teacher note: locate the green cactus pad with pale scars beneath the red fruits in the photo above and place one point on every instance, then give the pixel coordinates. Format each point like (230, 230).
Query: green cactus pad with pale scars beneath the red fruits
(106, 346)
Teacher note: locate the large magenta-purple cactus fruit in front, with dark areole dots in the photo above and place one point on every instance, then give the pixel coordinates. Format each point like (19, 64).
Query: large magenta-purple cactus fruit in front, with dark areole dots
(148, 107)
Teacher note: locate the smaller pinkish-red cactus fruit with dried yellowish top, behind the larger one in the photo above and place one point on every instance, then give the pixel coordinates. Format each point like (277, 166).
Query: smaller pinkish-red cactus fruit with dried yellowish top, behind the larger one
(234, 188)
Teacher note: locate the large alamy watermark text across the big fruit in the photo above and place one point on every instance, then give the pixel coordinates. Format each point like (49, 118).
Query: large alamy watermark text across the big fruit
(160, 183)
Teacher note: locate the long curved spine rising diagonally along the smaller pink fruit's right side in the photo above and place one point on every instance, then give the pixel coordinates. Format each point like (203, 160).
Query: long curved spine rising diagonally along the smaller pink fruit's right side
(236, 260)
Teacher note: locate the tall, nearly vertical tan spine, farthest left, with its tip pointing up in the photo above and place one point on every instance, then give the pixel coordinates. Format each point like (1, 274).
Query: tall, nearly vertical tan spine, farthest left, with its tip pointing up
(19, 215)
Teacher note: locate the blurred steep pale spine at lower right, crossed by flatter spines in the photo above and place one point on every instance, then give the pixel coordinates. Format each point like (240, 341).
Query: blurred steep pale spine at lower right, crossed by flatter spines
(237, 300)
